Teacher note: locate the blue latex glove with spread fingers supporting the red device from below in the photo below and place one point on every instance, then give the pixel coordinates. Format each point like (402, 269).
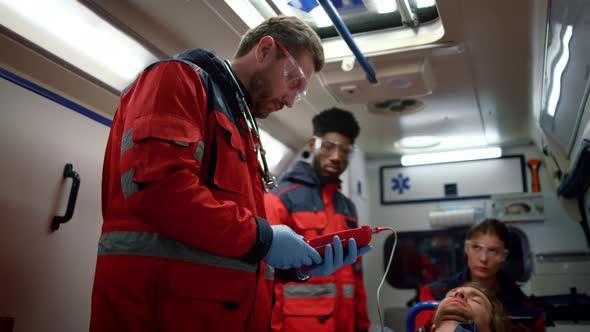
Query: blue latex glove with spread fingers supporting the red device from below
(335, 260)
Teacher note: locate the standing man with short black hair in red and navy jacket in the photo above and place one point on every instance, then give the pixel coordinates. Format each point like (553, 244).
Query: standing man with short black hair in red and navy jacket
(308, 200)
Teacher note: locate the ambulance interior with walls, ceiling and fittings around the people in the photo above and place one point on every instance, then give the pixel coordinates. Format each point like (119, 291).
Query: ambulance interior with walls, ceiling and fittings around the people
(420, 76)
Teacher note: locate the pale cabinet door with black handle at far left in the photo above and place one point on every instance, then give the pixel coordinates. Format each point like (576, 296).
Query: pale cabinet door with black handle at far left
(46, 277)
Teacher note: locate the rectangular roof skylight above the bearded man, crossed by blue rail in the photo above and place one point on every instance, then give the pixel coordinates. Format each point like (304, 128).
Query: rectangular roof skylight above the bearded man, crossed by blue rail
(377, 25)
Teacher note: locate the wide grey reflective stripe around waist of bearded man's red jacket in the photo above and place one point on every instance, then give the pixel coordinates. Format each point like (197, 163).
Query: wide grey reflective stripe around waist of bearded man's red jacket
(158, 245)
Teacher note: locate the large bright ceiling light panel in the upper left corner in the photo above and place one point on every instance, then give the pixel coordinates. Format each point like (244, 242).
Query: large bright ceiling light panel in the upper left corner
(75, 34)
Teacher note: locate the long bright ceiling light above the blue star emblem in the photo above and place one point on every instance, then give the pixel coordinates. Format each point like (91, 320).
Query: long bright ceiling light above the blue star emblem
(449, 156)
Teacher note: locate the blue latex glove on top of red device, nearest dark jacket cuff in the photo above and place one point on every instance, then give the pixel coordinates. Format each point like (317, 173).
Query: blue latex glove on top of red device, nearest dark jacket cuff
(289, 250)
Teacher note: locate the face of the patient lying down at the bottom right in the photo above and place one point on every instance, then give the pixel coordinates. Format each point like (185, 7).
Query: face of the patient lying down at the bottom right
(465, 304)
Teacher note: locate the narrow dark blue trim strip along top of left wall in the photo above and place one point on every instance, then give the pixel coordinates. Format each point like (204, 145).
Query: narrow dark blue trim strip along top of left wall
(9, 76)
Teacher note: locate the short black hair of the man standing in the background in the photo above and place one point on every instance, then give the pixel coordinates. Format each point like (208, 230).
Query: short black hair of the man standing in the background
(336, 120)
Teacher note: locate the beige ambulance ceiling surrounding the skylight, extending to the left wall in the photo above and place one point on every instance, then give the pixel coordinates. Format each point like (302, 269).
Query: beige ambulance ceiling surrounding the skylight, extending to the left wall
(465, 71)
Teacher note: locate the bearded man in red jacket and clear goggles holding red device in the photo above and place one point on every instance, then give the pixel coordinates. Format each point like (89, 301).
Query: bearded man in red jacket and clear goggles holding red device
(185, 245)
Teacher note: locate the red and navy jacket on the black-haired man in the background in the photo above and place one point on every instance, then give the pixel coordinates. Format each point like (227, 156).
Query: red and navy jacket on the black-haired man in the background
(334, 303)
